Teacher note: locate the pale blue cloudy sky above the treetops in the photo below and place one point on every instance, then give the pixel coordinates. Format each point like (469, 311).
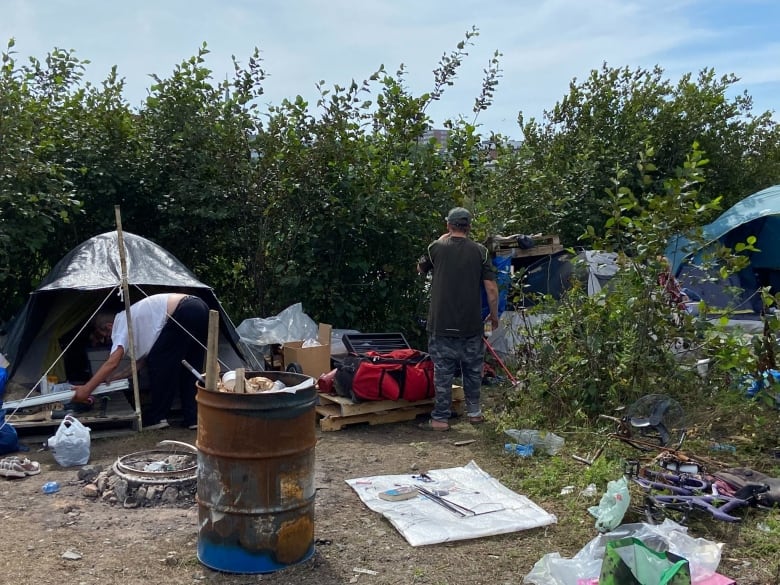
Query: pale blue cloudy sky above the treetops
(545, 43)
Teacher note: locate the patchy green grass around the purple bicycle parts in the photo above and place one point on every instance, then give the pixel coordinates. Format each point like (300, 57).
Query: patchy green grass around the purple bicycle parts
(751, 427)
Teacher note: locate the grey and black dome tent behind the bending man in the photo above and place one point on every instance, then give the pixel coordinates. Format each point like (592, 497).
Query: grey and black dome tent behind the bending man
(78, 285)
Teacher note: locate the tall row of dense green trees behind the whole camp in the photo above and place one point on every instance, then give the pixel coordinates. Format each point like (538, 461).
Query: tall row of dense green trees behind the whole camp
(331, 204)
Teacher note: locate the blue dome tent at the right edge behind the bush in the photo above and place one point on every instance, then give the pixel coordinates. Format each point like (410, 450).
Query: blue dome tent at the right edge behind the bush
(757, 215)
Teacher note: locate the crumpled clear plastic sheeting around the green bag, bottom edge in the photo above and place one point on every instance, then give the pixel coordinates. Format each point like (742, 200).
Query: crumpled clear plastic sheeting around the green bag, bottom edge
(702, 555)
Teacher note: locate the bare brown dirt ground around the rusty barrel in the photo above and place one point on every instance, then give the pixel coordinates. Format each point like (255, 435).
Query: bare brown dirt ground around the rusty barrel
(353, 544)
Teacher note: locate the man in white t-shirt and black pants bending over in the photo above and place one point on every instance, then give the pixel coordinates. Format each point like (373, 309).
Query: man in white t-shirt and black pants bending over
(167, 328)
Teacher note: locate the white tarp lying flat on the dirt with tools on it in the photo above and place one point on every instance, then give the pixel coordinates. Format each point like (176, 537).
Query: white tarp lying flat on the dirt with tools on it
(497, 509)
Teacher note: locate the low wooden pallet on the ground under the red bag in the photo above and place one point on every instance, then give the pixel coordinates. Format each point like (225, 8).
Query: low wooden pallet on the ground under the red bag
(336, 412)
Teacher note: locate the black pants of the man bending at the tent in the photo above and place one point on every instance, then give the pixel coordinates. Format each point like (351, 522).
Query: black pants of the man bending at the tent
(167, 375)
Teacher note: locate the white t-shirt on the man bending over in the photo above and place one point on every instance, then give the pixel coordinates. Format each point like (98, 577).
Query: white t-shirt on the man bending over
(149, 316)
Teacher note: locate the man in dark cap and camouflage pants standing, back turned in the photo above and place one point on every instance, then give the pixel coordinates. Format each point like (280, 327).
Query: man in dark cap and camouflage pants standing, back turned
(460, 267)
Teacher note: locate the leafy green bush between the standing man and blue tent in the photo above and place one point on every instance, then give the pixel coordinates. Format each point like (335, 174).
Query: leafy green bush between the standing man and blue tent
(594, 353)
